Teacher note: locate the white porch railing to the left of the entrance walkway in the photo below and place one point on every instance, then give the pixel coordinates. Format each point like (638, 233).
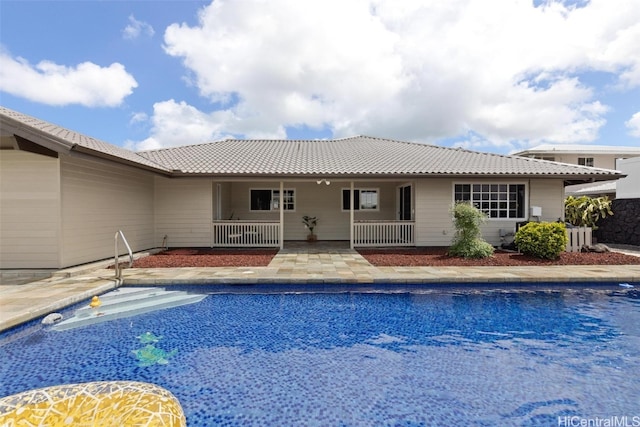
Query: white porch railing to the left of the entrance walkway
(246, 233)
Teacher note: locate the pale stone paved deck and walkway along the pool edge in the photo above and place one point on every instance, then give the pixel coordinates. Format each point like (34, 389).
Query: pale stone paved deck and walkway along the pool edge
(321, 264)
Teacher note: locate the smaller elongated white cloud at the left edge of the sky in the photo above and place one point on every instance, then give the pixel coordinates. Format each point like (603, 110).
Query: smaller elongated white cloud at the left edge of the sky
(86, 84)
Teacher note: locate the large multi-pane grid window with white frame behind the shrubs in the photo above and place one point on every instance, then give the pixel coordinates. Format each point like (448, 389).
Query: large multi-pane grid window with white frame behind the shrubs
(496, 200)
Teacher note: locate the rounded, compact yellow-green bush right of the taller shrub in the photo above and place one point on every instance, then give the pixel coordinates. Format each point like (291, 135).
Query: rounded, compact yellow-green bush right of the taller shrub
(542, 239)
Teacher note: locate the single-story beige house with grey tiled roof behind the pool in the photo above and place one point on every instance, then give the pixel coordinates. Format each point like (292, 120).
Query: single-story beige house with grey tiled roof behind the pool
(64, 195)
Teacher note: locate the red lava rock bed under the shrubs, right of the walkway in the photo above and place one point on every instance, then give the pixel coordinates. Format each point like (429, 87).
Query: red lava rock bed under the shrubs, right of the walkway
(438, 257)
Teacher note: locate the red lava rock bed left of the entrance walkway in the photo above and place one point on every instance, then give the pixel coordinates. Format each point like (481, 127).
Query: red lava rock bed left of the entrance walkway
(207, 258)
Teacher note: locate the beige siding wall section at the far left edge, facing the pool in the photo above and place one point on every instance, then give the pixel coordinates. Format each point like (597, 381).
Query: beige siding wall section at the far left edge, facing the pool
(29, 210)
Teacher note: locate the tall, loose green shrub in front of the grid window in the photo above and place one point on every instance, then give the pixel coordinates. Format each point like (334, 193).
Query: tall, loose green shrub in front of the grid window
(468, 242)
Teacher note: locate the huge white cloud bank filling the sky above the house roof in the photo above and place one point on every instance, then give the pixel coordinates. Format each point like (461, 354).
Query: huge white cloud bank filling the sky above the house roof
(504, 70)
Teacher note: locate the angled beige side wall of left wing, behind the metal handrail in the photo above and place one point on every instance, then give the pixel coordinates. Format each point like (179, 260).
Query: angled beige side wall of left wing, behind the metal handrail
(98, 199)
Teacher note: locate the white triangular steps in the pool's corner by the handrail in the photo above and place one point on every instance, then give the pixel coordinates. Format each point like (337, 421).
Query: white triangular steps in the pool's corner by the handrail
(127, 302)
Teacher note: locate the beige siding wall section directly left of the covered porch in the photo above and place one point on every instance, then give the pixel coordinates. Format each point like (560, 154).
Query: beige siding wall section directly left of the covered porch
(183, 211)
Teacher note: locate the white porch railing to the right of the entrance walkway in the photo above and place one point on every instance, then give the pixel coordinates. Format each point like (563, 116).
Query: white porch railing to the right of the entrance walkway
(384, 233)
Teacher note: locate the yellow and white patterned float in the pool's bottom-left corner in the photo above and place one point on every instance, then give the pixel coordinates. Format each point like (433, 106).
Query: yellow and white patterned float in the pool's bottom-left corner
(95, 404)
